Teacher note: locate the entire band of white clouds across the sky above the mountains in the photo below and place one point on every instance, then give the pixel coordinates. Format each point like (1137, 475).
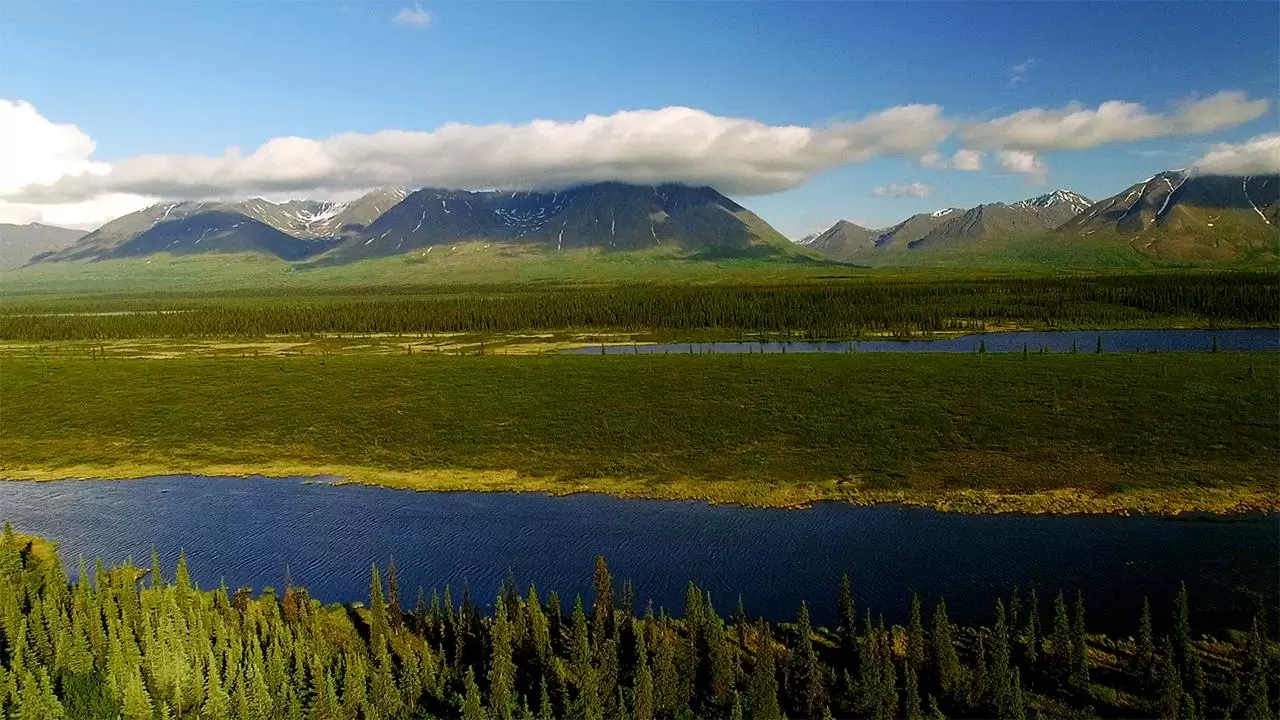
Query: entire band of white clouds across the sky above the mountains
(51, 174)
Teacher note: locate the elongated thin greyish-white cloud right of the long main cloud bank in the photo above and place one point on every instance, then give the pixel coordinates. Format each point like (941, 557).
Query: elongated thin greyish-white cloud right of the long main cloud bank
(1076, 127)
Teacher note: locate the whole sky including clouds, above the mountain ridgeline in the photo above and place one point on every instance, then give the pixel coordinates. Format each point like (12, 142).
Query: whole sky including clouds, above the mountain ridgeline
(806, 113)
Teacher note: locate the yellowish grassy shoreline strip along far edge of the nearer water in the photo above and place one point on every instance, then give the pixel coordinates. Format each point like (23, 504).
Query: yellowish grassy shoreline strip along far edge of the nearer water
(1224, 502)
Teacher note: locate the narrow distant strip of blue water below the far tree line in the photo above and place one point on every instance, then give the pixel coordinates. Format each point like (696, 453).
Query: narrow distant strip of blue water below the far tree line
(1054, 341)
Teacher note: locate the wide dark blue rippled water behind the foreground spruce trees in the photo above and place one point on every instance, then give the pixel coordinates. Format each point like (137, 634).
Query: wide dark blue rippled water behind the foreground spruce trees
(327, 536)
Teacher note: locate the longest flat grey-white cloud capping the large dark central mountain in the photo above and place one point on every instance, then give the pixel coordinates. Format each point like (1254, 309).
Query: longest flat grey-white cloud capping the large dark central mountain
(644, 147)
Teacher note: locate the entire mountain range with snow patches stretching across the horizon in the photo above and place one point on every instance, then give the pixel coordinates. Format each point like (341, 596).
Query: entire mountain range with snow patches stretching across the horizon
(1172, 216)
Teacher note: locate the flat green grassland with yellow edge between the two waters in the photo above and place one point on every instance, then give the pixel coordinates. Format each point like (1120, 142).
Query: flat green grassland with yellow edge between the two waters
(1048, 434)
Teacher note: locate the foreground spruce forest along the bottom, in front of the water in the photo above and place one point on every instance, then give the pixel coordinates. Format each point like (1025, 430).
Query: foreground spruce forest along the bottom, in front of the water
(136, 645)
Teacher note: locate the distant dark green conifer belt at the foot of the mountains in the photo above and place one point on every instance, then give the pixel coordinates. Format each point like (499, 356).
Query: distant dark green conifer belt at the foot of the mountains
(819, 309)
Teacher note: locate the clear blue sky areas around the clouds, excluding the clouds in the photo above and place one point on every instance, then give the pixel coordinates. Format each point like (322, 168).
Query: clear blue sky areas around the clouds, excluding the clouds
(199, 78)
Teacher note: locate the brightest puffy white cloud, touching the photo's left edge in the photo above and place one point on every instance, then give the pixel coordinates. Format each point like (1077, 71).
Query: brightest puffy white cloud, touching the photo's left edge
(38, 151)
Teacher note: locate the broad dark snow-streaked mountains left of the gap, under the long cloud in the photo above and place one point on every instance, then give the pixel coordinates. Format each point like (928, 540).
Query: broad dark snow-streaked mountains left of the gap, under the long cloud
(392, 222)
